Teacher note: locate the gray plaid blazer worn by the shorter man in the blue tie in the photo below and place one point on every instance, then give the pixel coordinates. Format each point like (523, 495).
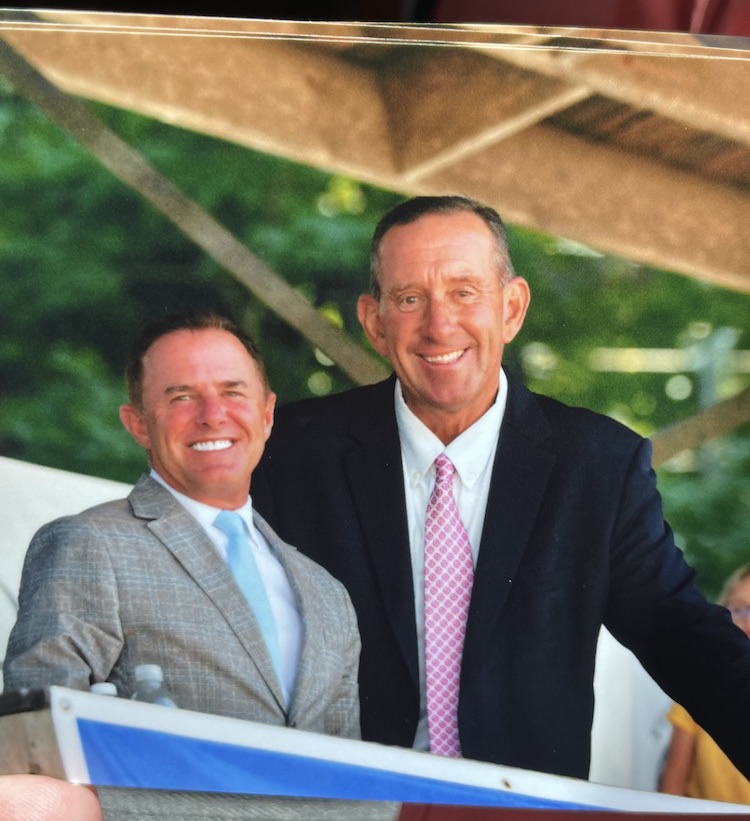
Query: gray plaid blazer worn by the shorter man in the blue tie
(138, 581)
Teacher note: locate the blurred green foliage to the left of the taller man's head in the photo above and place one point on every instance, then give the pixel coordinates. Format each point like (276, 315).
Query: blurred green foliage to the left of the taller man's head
(83, 261)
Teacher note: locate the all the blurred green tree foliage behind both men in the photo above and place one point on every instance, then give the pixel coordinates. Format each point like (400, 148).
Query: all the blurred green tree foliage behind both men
(83, 261)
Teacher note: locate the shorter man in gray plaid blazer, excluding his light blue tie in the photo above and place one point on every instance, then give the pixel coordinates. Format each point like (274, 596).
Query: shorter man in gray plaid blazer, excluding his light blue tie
(144, 579)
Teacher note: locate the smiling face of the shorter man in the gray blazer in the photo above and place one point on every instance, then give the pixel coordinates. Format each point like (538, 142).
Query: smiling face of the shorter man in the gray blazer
(206, 415)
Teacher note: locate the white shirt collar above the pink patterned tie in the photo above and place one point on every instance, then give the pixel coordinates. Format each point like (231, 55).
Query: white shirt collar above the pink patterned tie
(470, 452)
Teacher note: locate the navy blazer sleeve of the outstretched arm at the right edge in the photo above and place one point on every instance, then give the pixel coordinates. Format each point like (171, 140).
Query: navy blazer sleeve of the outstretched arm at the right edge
(689, 646)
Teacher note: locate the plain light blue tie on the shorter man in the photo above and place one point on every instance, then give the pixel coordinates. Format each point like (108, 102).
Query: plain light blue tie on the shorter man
(245, 570)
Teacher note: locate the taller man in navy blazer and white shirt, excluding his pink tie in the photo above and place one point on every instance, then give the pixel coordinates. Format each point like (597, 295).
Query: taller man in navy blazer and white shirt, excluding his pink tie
(564, 518)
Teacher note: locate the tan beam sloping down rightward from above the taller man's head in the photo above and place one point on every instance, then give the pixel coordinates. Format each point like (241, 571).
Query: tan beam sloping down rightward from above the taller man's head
(634, 207)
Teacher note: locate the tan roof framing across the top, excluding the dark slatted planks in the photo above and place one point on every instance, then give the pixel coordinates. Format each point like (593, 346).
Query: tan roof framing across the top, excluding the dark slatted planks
(437, 117)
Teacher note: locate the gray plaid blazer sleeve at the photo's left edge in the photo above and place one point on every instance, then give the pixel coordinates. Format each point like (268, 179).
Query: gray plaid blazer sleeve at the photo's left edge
(67, 630)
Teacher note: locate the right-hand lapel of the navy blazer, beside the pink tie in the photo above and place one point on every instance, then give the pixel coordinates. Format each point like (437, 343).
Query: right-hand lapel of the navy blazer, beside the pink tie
(519, 478)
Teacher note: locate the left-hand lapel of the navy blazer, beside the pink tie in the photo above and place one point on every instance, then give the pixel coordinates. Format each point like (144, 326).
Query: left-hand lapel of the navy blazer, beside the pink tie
(376, 481)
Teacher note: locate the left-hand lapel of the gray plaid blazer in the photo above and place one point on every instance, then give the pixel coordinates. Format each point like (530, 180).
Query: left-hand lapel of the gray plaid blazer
(191, 547)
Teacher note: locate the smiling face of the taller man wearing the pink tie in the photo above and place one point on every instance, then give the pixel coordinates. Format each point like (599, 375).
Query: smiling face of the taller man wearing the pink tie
(444, 317)
